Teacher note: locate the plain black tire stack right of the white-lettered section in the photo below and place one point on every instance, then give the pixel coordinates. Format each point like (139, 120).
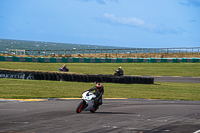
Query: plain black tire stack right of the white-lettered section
(93, 78)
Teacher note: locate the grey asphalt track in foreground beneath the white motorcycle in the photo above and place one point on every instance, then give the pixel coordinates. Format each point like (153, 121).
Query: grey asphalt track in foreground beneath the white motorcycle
(114, 116)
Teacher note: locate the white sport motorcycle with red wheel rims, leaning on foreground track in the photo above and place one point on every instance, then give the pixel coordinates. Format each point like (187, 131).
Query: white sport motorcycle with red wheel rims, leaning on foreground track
(87, 103)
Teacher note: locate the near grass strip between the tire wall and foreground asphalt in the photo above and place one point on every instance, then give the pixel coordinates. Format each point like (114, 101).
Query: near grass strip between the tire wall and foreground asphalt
(17, 88)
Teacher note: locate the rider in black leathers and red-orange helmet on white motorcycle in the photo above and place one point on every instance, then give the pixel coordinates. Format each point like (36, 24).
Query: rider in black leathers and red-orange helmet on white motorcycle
(98, 92)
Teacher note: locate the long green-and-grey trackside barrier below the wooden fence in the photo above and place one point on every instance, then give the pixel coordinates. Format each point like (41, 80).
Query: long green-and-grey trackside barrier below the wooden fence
(98, 60)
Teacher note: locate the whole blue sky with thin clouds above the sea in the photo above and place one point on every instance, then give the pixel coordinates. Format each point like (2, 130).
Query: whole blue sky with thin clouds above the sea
(121, 23)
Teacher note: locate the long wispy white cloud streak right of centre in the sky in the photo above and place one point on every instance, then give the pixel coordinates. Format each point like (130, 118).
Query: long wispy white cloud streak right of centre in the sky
(141, 24)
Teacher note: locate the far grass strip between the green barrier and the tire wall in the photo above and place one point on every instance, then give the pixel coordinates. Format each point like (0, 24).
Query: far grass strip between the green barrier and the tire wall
(153, 69)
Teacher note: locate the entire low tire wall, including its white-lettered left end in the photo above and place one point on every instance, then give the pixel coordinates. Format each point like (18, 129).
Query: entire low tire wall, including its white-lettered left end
(75, 77)
